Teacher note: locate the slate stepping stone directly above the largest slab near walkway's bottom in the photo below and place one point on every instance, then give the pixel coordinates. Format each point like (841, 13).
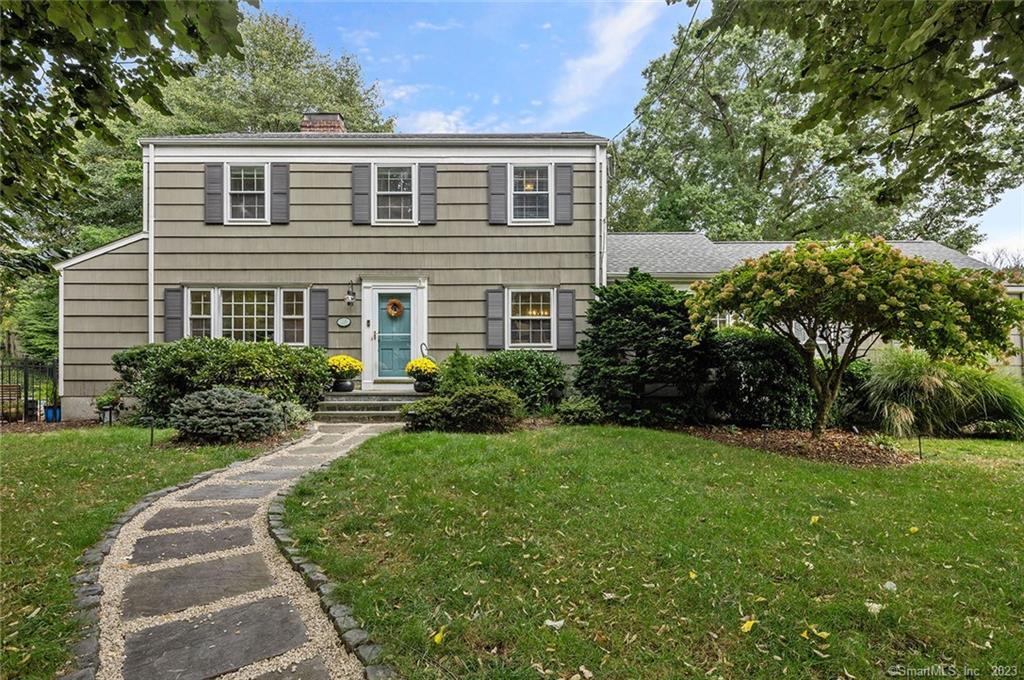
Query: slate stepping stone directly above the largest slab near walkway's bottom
(179, 588)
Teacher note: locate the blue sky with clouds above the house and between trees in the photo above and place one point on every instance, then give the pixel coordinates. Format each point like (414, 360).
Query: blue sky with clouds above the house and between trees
(477, 67)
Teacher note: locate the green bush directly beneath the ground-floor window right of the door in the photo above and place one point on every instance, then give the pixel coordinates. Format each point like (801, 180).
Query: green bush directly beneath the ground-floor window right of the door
(539, 378)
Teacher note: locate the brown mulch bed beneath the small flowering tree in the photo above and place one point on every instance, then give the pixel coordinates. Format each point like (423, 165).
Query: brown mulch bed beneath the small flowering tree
(834, 447)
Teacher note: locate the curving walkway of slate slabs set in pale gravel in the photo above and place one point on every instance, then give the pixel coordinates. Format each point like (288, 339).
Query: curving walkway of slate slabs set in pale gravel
(195, 587)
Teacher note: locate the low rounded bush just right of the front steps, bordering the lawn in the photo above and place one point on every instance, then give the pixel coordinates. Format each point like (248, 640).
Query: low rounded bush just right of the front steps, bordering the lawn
(480, 409)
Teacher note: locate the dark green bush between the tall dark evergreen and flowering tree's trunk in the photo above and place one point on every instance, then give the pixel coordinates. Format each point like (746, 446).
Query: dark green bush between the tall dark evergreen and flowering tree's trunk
(758, 380)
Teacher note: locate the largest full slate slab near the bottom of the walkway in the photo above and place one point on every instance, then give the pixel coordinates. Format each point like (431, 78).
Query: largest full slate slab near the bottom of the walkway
(215, 645)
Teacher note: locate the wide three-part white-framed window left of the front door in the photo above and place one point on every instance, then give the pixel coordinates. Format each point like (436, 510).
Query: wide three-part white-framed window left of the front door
(260, 315)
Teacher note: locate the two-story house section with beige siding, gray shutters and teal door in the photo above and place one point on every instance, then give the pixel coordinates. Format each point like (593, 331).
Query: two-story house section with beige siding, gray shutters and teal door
(381, 246)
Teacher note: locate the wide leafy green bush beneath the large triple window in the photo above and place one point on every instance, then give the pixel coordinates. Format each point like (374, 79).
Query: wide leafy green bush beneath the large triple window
(159, 375)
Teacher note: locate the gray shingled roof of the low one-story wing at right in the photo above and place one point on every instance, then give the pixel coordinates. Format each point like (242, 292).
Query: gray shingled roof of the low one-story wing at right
(691, 254)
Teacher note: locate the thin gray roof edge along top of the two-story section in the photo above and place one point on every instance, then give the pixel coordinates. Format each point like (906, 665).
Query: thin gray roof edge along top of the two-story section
(412, 139)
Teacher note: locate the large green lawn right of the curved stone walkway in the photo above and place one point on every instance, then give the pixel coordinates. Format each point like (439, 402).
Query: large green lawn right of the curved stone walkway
(655, 548)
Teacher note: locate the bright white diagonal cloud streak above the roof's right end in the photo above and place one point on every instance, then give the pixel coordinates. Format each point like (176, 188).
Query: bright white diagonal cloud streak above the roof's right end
(614, 37)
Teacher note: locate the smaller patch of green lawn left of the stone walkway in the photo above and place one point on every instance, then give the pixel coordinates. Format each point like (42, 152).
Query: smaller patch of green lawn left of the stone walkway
(59, 493)
